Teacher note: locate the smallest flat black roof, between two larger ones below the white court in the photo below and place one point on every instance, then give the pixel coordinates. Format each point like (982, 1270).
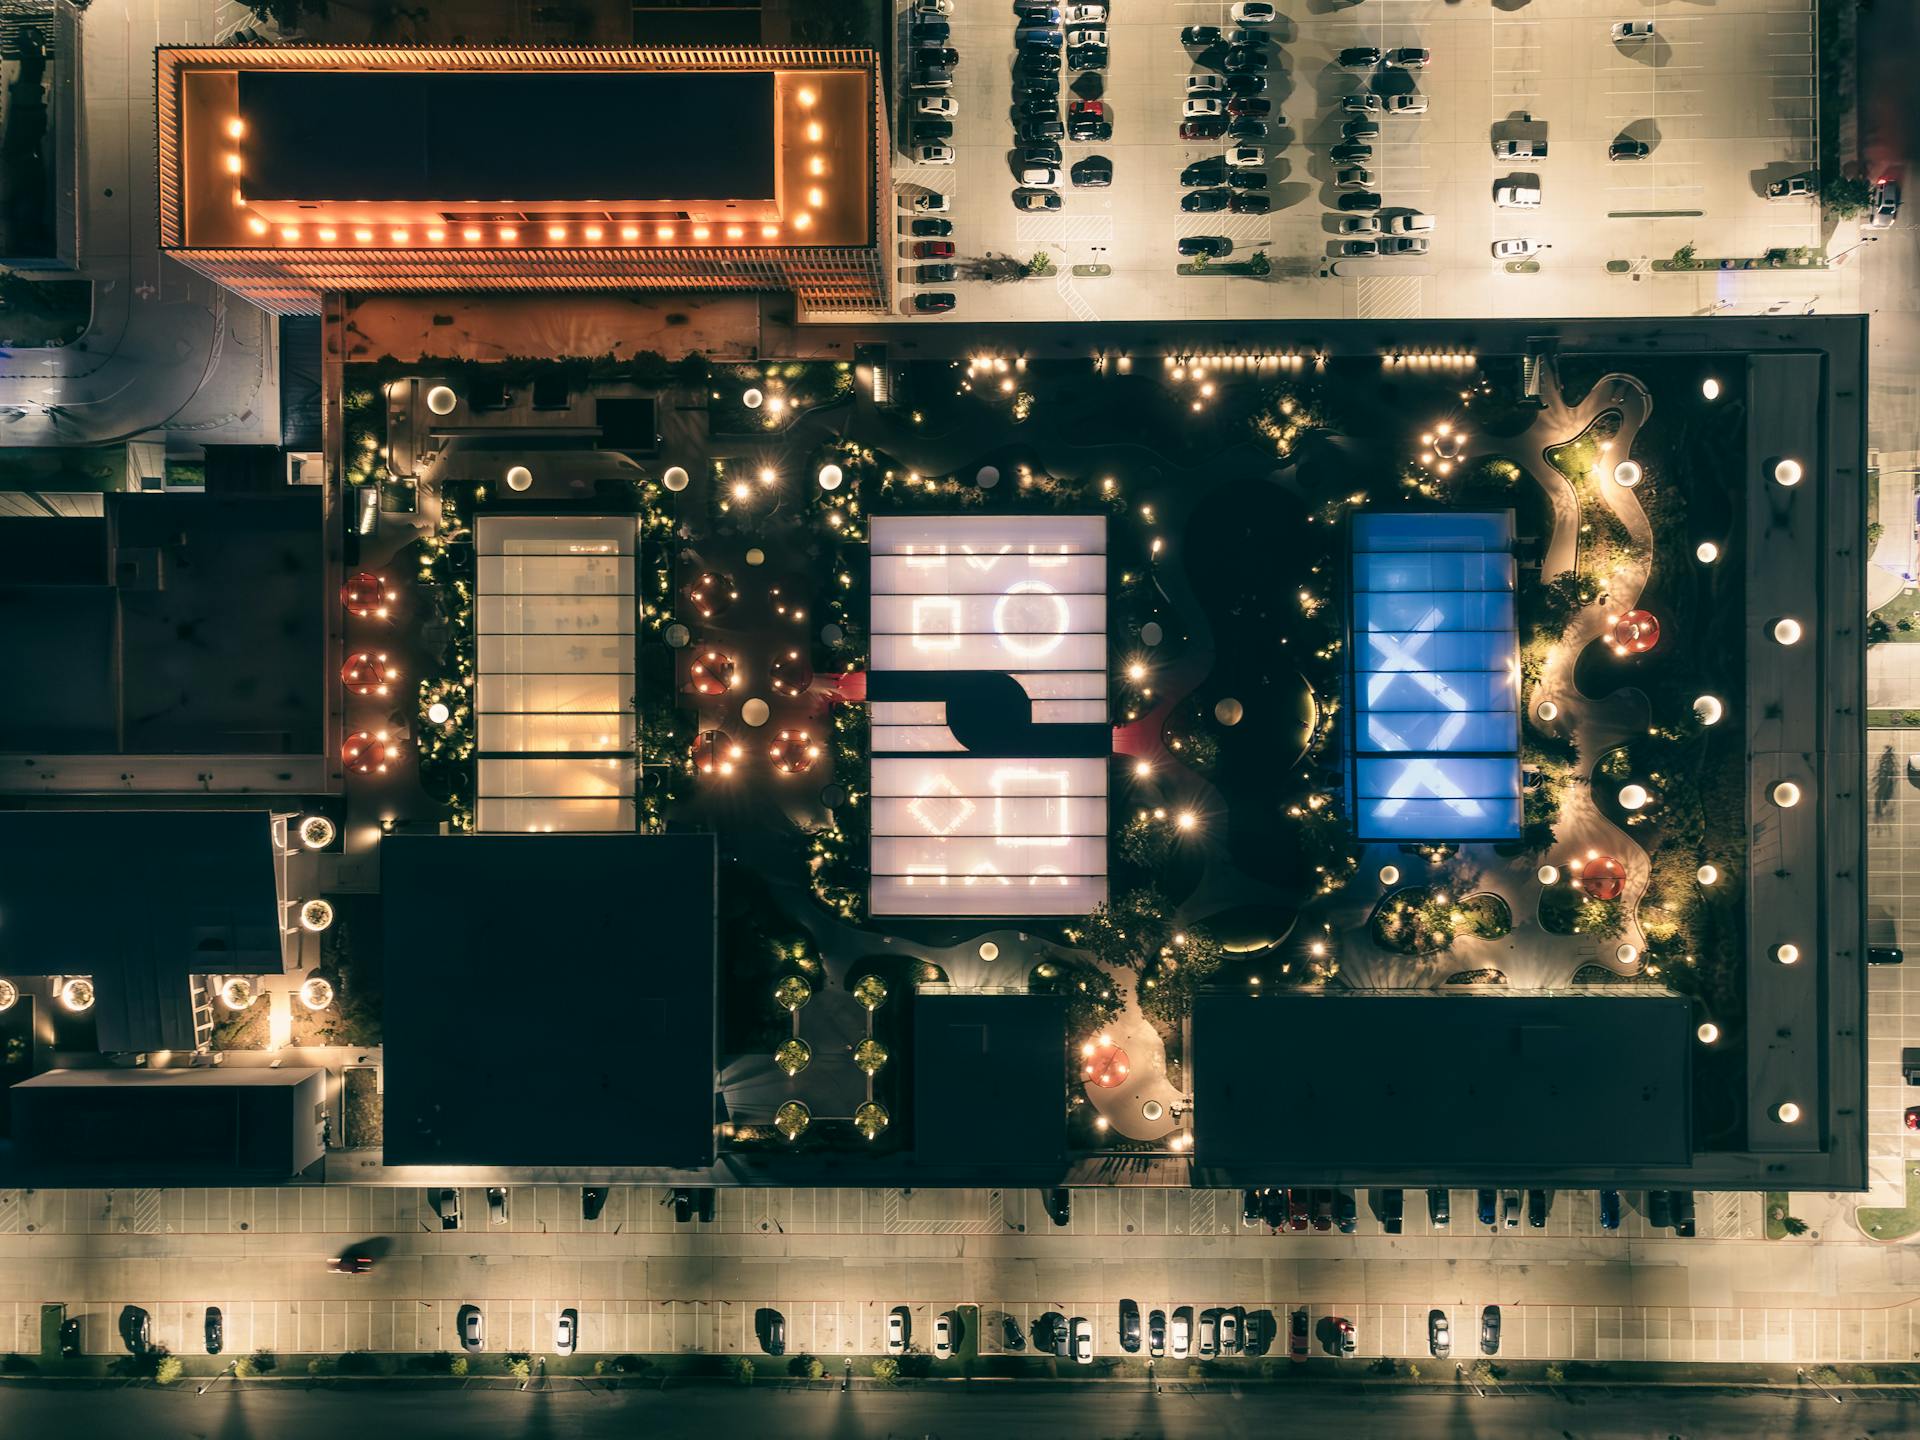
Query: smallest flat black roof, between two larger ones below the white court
(984, 1070)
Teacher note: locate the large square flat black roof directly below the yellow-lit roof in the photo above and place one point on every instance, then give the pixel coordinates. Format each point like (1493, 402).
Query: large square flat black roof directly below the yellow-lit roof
(550, 999)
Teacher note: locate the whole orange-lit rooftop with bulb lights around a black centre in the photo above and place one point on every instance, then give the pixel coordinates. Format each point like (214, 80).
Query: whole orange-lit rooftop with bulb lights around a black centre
(404, 151)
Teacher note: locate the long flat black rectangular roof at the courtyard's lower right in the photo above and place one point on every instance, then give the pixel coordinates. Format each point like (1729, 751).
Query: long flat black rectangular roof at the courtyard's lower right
(1328, 1088)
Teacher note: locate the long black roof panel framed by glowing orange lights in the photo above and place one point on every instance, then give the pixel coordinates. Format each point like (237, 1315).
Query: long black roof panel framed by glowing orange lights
(508, 135)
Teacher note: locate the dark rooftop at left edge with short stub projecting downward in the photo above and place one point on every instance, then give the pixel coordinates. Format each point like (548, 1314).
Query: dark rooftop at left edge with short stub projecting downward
(141, 901)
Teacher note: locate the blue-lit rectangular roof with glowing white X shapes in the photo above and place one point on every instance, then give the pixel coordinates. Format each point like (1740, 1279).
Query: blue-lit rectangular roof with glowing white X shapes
(1437, 721)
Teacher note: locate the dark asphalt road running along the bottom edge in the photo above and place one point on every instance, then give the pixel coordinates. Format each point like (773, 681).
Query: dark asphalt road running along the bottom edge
(994, 1414)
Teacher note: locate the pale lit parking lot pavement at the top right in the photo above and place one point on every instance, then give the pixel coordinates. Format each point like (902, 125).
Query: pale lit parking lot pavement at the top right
(1723, 99)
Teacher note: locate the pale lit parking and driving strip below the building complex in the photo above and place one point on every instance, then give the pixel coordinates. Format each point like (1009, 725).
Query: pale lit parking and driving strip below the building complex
(836, 1260)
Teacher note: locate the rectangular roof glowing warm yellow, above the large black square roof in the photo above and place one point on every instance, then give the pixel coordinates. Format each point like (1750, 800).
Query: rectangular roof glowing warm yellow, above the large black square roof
(554, 629)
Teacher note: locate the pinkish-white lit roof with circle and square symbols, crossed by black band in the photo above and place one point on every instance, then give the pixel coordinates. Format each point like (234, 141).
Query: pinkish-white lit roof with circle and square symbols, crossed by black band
(990, 796)
